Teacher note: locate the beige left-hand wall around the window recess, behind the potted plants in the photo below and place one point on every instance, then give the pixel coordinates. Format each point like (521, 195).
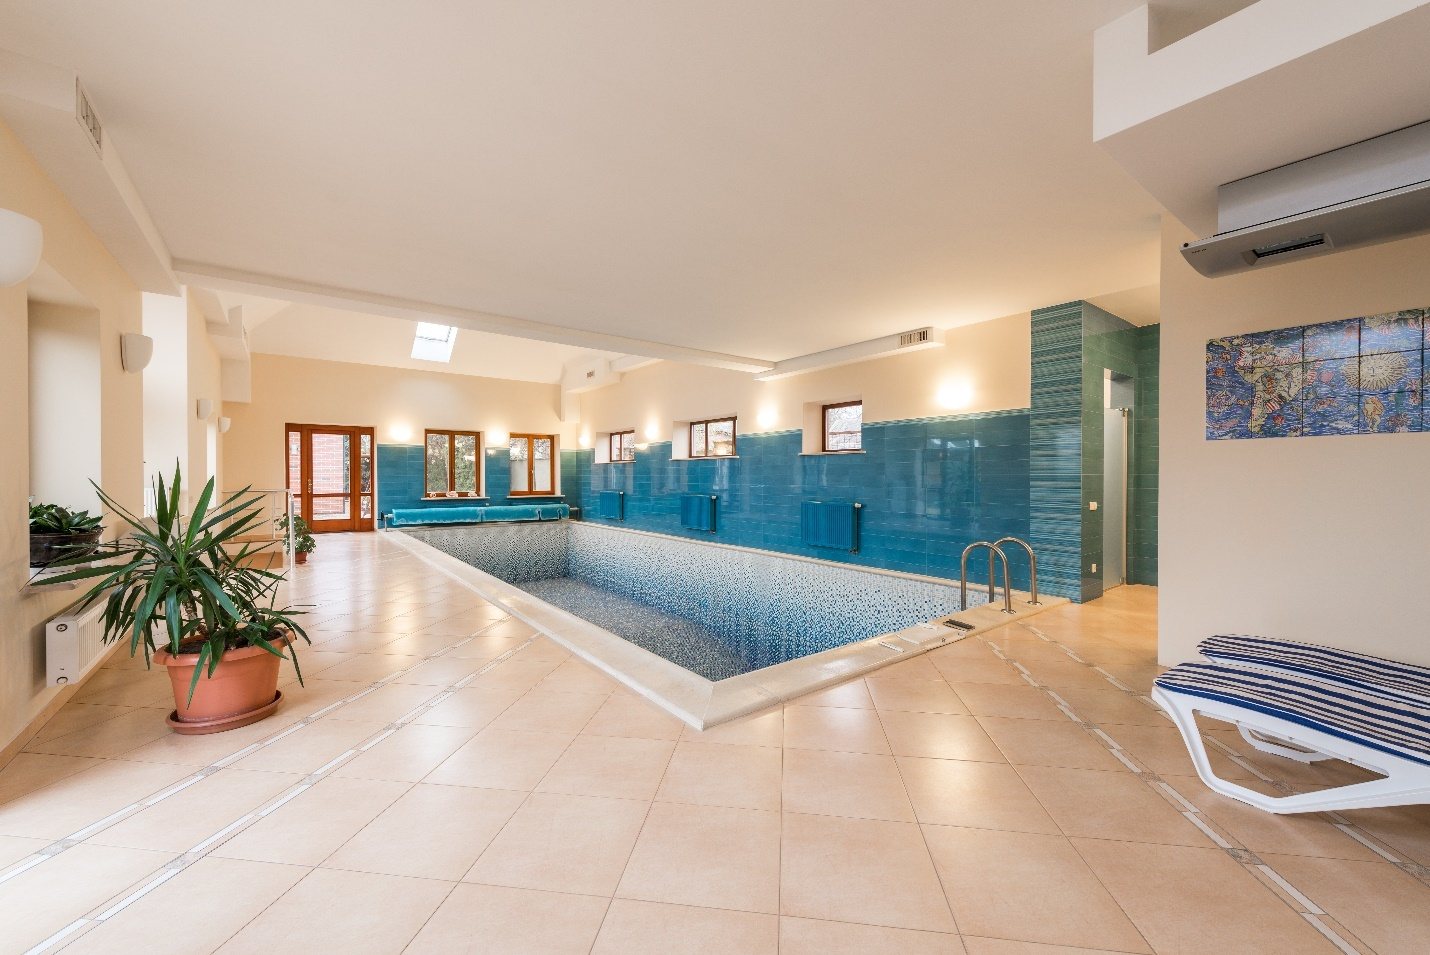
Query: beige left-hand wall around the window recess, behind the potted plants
(84, 262)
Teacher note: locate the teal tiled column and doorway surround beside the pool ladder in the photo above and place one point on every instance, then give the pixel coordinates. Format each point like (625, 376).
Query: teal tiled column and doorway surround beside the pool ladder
(1072, 347)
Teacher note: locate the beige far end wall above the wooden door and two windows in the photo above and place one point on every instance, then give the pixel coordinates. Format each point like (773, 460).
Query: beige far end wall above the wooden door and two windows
(314, 392)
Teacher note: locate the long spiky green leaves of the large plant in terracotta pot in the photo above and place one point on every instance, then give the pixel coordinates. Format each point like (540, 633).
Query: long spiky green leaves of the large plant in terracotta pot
(179, 580)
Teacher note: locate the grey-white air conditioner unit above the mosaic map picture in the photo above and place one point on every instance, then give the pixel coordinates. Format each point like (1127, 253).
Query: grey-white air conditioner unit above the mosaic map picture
(1362, 195)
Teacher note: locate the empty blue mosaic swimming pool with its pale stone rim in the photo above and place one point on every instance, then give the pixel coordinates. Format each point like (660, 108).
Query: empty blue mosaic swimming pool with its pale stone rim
(707, 631)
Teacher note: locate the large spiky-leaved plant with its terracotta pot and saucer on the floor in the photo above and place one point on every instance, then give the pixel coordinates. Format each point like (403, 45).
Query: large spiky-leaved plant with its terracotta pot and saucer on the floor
(217, 617)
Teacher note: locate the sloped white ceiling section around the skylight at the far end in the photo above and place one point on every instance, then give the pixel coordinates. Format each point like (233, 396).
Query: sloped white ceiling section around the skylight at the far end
(310, 331)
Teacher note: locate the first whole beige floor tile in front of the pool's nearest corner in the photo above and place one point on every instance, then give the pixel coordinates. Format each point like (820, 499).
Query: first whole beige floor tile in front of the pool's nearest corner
(723, 776)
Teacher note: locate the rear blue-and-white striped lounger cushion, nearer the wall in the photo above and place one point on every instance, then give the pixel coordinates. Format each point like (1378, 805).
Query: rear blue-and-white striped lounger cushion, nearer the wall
(1322, 663)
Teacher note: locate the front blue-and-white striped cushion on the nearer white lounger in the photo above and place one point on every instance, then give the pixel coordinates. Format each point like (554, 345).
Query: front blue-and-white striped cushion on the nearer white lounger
(1392, 726)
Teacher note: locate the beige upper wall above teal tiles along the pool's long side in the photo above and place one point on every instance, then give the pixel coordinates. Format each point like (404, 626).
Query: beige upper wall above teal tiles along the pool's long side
(992, 358)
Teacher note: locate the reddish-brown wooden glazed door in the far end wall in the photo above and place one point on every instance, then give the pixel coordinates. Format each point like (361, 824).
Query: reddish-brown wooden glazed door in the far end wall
(331, 475)
